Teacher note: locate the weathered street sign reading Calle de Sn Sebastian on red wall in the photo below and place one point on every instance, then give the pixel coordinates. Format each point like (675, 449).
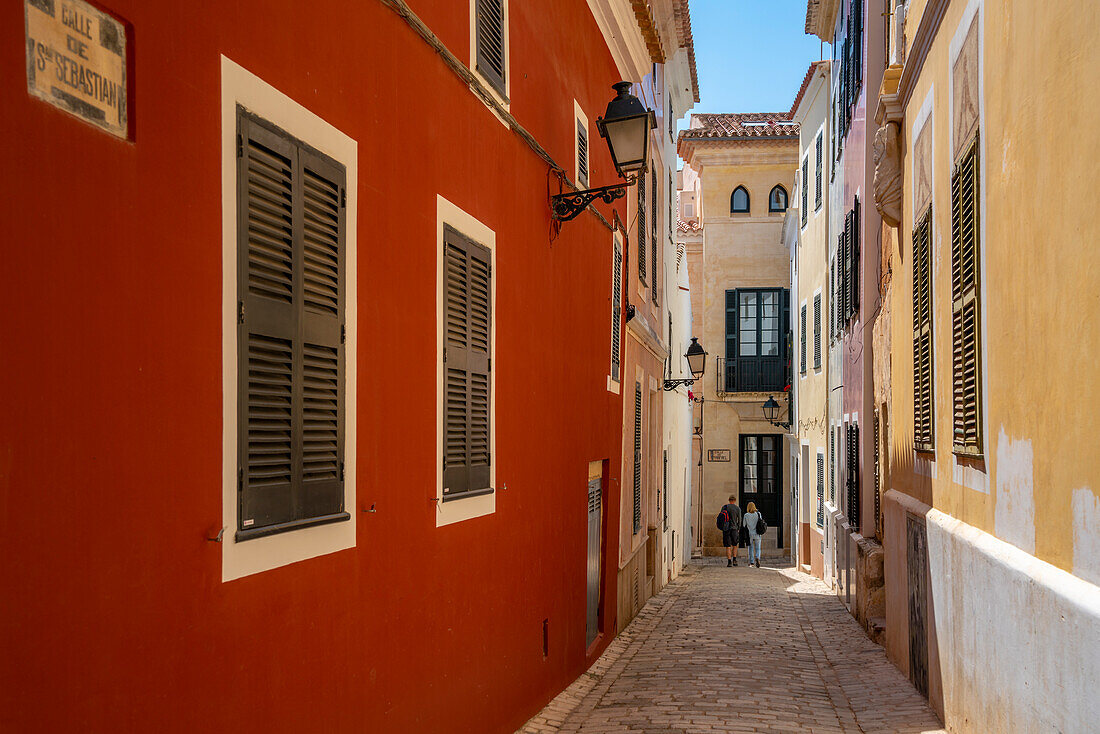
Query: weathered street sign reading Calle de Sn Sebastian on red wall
(76, 60)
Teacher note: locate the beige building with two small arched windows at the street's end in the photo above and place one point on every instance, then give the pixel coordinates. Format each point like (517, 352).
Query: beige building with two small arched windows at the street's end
(742, 315)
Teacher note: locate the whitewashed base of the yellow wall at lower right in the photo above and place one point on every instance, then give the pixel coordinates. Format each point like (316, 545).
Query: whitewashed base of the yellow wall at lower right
(1019, 639)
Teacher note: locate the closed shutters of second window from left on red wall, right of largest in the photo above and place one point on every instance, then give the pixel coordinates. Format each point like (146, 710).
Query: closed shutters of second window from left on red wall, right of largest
(467, 360)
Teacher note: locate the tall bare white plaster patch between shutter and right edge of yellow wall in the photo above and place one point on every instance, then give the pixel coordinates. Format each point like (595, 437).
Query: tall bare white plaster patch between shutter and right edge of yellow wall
(1015, 516)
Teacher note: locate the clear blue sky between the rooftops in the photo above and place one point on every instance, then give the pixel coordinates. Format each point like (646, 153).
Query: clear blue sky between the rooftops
(752, 54)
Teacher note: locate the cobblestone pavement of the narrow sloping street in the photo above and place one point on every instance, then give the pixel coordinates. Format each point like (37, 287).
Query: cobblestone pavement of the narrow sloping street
(740, 650)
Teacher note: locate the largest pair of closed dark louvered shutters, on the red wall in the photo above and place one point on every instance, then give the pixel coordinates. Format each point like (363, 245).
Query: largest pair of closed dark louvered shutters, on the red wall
(291, 333)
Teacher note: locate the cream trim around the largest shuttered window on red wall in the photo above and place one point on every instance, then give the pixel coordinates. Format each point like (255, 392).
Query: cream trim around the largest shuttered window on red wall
(255, 556)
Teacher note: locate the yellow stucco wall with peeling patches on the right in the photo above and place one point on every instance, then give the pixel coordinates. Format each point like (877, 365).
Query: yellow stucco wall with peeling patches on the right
(1040, 288)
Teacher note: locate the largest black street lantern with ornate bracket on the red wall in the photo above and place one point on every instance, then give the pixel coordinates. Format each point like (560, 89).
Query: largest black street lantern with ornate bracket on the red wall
(625, 126)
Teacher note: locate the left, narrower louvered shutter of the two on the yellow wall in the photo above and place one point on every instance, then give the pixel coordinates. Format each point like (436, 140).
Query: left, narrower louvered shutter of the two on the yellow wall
(923, 425)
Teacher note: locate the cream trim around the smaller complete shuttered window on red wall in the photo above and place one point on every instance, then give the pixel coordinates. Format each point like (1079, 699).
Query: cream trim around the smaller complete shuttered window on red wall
(465, 509)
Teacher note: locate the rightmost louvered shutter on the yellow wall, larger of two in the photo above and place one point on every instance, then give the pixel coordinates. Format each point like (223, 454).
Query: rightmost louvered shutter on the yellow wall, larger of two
(966, 305)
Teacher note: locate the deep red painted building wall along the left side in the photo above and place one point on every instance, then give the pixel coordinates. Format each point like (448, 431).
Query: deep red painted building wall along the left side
(114, 616)
